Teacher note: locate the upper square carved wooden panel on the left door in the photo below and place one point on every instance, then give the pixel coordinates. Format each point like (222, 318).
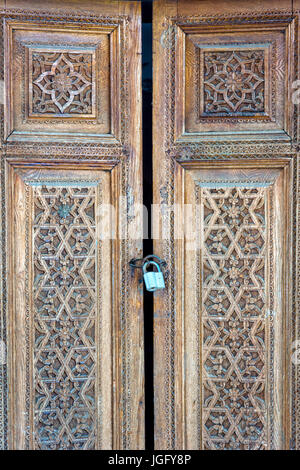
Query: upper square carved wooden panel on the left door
(60, 85)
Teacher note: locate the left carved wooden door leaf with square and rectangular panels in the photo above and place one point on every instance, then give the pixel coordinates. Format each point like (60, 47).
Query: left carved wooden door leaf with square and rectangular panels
(72, 374)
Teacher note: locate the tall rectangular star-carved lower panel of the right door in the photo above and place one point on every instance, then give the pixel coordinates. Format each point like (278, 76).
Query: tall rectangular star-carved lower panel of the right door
(235, 310)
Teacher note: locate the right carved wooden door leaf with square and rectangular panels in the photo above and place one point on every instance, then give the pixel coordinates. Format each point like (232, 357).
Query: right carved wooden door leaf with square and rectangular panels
(225, 163)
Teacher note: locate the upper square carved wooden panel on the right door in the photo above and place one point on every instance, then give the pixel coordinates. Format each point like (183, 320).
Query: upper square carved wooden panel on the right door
(235, 81)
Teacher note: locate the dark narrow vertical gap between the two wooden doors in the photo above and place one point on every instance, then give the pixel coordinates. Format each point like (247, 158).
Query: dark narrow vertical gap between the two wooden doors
(147, 195)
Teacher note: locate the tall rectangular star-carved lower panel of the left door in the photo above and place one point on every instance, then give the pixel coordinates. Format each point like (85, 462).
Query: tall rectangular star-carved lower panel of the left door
(60, 310)
